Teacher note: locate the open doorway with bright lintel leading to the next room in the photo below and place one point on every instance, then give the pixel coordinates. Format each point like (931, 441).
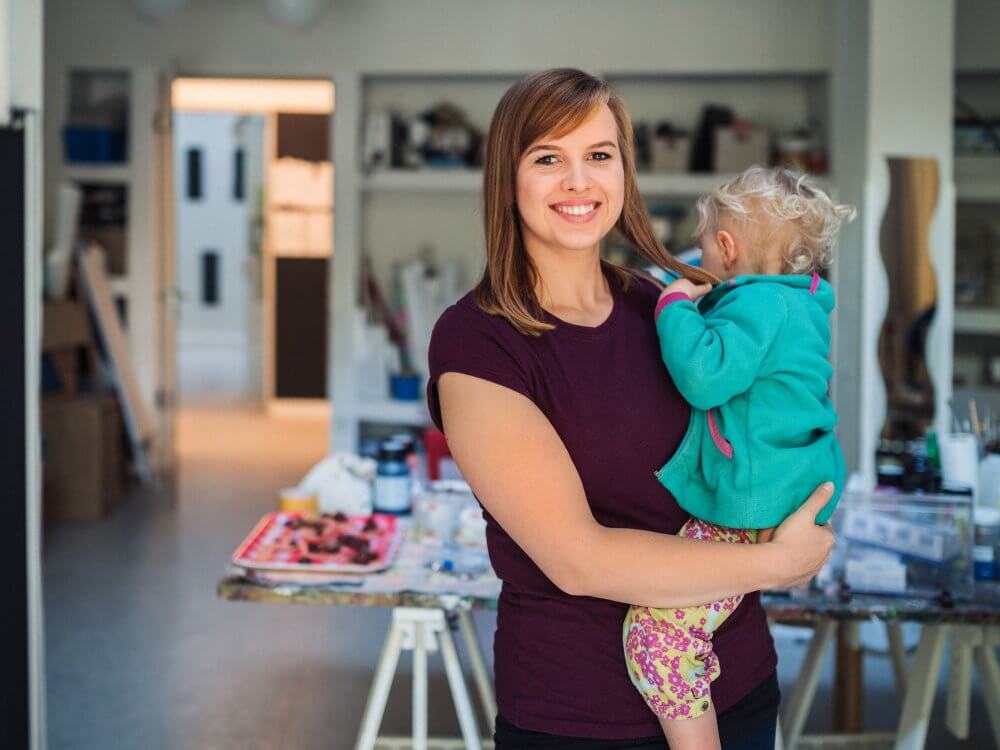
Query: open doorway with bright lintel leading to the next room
(253, 227)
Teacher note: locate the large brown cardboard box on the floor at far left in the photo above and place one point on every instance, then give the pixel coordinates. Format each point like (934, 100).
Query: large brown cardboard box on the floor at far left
(82, 458)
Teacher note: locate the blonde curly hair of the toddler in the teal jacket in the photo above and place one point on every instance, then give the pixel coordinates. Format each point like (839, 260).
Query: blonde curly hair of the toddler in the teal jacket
(778, 206)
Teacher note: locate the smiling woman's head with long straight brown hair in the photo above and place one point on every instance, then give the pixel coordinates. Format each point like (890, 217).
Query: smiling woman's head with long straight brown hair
(563, 140)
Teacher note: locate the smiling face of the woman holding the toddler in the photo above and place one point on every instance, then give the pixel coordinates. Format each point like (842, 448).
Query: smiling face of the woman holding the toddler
(570, 190)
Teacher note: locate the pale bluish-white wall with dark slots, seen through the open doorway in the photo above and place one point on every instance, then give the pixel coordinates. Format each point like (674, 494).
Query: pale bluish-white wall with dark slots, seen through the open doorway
(214, 341)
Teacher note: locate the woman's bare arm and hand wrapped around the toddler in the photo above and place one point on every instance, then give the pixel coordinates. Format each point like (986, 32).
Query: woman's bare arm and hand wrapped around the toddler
(521, 472)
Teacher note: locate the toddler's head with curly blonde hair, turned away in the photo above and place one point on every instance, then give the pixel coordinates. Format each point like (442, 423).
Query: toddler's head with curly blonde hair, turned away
(768, 221)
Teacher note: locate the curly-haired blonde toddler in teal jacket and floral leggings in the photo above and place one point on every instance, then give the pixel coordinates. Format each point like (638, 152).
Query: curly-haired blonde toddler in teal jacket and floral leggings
(752, 359)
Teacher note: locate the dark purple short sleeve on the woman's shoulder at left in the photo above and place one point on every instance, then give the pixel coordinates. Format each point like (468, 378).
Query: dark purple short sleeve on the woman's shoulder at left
(468, 341)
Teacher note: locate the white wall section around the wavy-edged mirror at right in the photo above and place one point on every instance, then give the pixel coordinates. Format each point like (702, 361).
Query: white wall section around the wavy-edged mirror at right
(893, 86)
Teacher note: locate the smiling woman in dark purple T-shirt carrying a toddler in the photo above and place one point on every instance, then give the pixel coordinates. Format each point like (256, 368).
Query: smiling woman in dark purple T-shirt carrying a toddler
(548, 383)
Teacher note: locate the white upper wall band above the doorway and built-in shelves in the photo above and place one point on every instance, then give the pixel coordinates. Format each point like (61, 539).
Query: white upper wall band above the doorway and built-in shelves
(230, 36)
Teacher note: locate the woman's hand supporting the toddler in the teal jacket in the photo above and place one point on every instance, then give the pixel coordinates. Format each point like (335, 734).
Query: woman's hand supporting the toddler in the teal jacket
(800, 545)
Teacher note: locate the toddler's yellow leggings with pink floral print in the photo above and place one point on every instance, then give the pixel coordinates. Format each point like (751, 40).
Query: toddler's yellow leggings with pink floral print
(669, 651)
